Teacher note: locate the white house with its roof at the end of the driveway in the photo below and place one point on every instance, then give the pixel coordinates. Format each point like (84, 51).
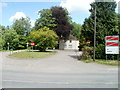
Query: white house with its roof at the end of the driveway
(71, 44)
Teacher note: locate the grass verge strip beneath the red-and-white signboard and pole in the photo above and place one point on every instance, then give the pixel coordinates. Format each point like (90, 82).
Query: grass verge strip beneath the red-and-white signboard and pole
(106, 62)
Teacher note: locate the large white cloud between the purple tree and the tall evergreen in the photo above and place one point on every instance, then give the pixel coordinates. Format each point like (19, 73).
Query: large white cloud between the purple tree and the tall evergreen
(74, 6)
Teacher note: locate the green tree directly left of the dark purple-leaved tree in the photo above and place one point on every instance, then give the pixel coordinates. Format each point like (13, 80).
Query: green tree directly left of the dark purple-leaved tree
(46, 19)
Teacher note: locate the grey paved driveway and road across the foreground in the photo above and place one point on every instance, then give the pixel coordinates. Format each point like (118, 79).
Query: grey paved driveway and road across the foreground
(61, 70)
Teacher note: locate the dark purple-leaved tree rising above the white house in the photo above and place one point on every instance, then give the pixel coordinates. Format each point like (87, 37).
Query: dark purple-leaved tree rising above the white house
(63, 27)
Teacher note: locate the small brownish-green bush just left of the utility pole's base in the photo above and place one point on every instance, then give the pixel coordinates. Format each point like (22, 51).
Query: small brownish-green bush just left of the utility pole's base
(87, 53)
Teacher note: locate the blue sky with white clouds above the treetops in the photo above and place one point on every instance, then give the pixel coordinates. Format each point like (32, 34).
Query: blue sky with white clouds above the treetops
(78, 10)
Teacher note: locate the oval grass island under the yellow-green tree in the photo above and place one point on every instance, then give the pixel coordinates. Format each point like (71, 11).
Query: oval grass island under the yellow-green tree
(30, 55)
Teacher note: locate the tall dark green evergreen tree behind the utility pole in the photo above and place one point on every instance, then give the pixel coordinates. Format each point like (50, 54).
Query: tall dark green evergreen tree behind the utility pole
(105, 21)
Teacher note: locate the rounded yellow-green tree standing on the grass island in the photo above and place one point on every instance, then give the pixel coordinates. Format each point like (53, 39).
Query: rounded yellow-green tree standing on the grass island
(44, 38)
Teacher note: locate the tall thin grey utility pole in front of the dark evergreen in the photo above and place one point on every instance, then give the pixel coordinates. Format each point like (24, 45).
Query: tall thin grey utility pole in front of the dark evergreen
(94, 34)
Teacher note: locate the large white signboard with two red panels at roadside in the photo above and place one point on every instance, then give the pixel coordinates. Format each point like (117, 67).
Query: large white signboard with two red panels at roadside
(112, 45)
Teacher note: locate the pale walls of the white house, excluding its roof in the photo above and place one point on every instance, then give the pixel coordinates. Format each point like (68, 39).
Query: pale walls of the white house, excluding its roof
(69, 44)
